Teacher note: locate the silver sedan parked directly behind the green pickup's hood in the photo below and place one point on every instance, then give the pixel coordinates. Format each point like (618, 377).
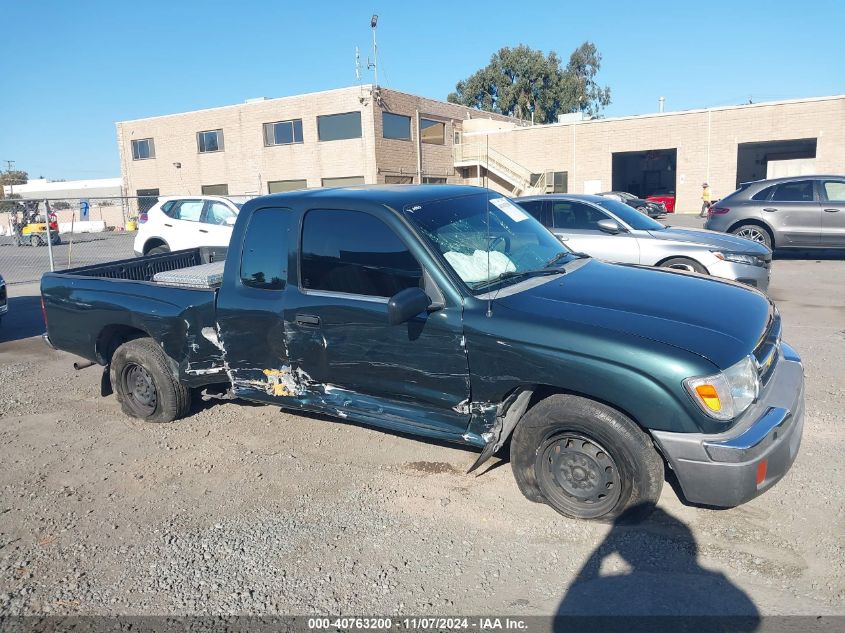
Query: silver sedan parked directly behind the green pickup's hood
(611, 230)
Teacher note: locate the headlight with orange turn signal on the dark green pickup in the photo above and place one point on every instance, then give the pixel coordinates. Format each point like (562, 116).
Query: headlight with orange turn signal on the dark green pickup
(727, 394)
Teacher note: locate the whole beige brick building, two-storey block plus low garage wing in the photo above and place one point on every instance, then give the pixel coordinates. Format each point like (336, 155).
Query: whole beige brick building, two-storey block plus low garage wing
(367, 135)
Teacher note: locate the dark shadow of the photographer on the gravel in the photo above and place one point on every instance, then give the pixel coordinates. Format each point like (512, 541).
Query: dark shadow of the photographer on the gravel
(651, 571)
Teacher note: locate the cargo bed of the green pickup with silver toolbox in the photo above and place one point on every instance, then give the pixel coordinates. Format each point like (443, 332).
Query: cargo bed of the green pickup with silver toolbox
(91, 309)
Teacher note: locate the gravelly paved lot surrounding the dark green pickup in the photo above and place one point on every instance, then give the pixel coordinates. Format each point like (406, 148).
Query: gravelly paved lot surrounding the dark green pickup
(246, 509)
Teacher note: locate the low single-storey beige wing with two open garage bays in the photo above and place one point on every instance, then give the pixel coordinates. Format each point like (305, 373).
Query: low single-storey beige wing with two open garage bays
(665, 152)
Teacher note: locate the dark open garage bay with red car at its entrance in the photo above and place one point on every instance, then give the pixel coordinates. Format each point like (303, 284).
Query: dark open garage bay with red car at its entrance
(647, 173)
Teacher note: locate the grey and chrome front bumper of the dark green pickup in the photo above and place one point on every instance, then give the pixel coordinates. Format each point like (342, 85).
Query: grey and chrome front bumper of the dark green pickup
(730, 468)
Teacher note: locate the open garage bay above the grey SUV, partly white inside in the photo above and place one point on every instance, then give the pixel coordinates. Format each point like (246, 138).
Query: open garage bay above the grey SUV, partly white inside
(775, 159)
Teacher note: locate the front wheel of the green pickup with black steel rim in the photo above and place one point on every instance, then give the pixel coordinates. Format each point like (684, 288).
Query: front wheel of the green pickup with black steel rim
(586, 460)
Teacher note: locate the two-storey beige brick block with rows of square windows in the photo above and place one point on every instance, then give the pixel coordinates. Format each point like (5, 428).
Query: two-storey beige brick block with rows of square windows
(345, 136)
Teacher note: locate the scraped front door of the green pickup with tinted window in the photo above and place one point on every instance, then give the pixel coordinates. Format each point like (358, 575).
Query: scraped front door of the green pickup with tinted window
(351, 263)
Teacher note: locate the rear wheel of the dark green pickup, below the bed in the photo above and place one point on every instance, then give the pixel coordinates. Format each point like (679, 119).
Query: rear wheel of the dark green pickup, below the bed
(144, 385)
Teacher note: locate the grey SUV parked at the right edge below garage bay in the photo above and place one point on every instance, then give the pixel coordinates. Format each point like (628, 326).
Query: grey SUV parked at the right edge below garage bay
(795, 212)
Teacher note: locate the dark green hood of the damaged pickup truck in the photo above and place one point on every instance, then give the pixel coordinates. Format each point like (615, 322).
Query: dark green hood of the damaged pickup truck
(719, 320)
